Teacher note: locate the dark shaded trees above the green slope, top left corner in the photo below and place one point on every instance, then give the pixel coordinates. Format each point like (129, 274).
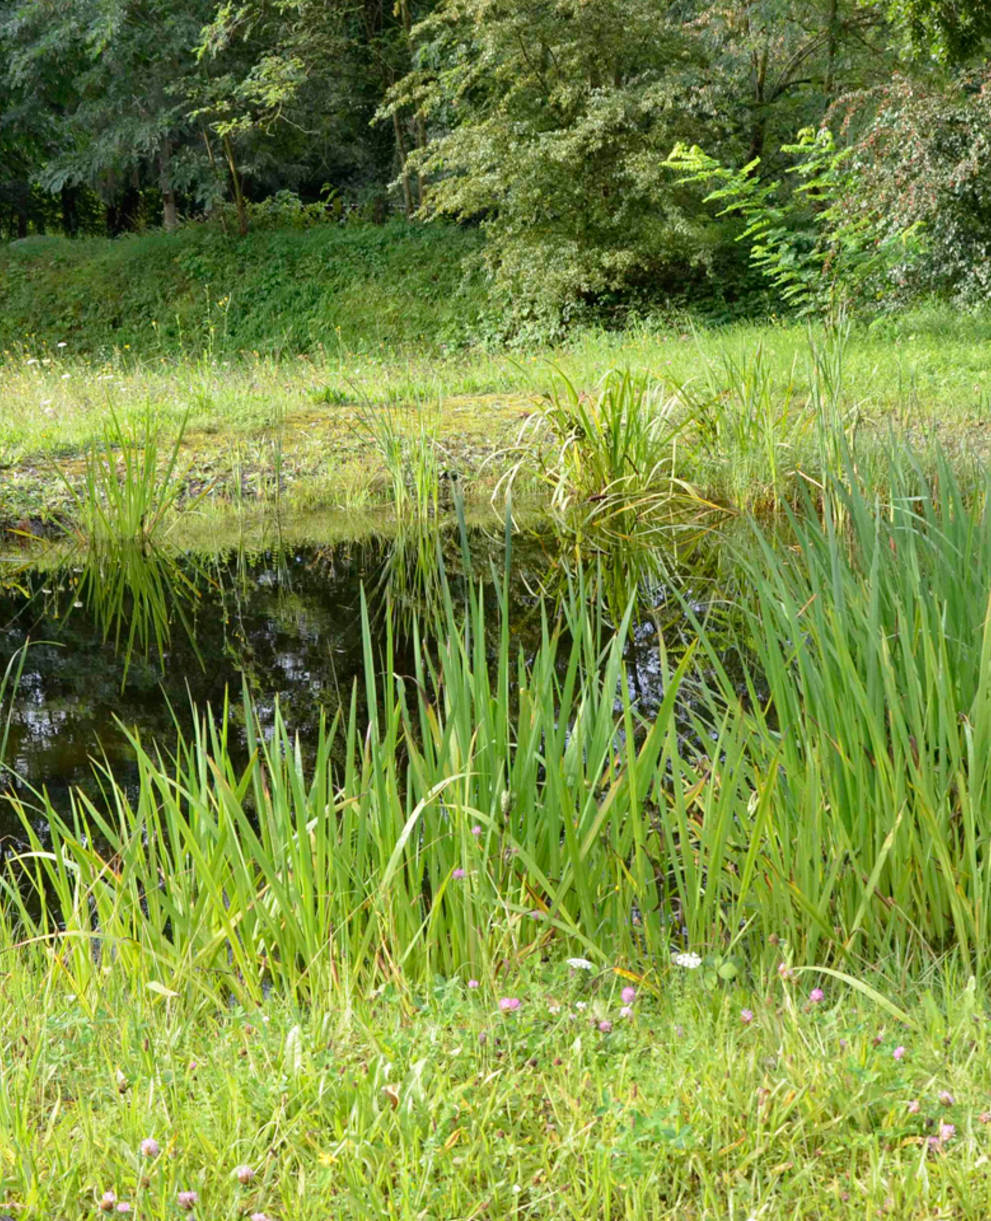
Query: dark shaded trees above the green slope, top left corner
(174, 107)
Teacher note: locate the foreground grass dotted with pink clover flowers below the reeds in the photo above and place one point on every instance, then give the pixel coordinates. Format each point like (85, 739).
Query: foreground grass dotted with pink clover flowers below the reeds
(438, 1104)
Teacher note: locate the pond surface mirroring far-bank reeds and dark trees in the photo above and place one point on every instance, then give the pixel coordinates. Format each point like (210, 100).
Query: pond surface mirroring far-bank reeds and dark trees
(142, 644)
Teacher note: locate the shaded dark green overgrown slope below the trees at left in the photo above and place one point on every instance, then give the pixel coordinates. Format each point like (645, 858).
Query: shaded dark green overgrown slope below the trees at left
(278, 291)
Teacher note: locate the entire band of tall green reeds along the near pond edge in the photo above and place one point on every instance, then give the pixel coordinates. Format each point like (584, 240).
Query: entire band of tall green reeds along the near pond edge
(495, 802)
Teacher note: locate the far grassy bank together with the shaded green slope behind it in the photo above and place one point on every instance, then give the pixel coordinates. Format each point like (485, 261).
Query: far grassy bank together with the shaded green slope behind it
(290, 356)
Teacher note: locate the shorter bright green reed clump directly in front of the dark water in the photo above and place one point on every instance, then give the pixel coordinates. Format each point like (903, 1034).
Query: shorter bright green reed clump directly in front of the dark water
(312, 876)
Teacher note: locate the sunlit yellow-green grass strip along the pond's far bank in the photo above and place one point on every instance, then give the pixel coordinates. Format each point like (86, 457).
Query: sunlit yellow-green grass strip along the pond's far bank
(746, 408)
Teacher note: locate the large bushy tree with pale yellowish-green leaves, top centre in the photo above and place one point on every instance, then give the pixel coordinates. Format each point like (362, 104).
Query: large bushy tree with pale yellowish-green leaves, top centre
(549, 121)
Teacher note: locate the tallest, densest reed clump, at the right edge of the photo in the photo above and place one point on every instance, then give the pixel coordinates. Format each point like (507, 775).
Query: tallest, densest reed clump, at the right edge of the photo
(865, 734)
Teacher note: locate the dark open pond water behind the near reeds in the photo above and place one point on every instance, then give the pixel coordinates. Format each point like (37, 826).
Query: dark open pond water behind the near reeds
(285, 623)
